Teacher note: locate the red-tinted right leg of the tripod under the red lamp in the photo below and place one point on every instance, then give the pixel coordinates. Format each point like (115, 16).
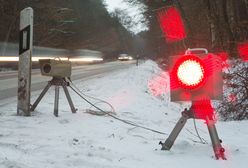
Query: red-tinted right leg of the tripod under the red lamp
(218, 149)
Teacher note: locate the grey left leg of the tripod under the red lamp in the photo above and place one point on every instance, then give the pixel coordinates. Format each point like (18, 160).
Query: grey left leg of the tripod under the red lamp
(175, 132)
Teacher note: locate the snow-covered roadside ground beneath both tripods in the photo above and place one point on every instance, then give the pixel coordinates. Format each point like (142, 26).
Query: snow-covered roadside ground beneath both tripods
(84, 140)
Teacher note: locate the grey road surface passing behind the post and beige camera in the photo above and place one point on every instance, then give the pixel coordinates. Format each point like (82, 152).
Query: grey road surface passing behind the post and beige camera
(8, 80)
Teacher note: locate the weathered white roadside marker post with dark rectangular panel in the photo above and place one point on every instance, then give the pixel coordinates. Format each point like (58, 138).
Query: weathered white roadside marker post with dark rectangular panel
(25, 61)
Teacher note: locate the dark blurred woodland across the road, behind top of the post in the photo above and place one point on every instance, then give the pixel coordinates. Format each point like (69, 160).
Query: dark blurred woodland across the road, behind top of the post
(74, 24)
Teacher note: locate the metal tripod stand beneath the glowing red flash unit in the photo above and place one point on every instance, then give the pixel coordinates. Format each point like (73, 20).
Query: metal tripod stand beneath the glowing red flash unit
(187, 114)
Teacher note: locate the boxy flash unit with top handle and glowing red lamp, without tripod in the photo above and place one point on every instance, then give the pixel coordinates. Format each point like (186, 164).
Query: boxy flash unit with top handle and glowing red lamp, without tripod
(196, 75)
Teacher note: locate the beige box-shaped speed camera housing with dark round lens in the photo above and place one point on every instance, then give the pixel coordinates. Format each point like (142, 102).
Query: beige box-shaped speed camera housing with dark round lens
(55, 68)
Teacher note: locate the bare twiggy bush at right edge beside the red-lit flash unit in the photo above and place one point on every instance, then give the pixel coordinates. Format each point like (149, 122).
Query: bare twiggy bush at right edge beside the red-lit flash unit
(235, 103)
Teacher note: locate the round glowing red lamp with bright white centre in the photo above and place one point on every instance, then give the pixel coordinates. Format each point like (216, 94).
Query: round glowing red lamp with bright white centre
(189, 71)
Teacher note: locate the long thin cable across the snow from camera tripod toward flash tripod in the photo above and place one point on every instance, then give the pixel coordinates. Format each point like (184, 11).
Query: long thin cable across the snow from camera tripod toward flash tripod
(124, 121)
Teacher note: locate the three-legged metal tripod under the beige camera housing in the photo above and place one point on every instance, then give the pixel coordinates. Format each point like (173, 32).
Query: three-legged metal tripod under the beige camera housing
(57, 82)
